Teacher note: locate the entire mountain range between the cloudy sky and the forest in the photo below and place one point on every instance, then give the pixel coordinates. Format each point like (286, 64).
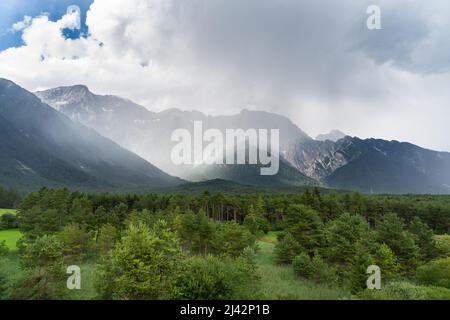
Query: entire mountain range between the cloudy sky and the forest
(97, 124)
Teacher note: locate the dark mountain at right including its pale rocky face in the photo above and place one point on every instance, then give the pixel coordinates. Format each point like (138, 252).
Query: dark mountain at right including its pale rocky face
(373, 165)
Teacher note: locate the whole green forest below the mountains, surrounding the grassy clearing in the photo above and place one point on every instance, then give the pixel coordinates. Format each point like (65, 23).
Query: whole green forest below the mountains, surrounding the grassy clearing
(203, 247)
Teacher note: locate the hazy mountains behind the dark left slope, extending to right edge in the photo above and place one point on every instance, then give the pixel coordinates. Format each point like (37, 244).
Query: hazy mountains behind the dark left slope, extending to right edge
(332, 160)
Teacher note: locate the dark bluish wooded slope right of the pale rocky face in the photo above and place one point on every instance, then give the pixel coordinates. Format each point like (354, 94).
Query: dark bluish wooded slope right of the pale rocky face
(381, 166)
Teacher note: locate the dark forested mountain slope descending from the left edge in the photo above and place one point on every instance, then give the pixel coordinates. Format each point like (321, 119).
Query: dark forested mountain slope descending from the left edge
(40, 146)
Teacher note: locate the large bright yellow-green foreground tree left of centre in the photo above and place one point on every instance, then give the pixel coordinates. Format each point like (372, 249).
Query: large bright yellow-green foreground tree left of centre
(142, 265)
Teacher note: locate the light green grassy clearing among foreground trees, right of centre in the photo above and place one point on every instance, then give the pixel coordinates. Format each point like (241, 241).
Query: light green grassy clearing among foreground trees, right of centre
(280, 282)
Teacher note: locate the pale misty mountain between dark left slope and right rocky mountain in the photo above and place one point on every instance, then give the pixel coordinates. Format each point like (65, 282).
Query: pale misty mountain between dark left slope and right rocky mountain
(148, 134)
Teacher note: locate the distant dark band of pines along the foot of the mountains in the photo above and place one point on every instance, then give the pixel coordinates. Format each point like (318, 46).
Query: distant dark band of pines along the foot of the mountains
(114, 208)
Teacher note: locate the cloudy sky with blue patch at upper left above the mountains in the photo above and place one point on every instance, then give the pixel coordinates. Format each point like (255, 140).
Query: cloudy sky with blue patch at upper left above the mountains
(314, 61)
